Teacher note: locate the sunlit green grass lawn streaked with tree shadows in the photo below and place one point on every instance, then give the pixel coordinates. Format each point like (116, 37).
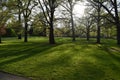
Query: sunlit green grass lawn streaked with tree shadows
(66, 60)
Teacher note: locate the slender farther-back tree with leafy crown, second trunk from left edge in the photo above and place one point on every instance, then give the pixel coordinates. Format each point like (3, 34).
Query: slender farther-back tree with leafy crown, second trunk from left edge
(14, 6)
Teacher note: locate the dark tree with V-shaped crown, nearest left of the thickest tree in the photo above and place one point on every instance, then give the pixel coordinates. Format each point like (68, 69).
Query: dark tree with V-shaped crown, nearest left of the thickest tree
(27, 7)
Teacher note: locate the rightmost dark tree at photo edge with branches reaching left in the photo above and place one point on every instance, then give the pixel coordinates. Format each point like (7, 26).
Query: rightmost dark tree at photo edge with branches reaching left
(112, 8)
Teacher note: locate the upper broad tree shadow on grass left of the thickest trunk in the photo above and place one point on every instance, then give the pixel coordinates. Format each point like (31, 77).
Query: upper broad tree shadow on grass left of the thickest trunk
(20, 48)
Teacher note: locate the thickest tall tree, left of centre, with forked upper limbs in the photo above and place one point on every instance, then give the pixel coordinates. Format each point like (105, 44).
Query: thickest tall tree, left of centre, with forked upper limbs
(48, 7)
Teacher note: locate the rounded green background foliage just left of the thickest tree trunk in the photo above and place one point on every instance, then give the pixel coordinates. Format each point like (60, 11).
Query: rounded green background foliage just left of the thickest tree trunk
(39, 25)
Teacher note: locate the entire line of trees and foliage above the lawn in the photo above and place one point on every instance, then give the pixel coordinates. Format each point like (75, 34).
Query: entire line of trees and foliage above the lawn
(40, 18)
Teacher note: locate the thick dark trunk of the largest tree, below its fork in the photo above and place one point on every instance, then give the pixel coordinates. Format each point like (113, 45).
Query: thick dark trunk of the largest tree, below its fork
(51, 34)
